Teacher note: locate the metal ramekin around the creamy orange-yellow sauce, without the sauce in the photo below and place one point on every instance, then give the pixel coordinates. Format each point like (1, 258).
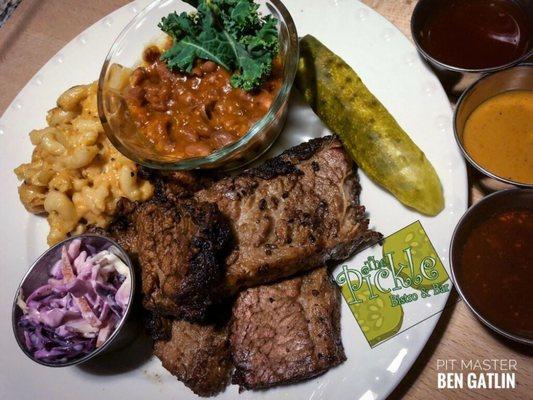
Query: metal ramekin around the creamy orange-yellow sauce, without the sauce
(514, 78)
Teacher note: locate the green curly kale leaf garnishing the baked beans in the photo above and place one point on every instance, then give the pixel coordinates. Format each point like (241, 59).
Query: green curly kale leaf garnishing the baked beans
(230, 33)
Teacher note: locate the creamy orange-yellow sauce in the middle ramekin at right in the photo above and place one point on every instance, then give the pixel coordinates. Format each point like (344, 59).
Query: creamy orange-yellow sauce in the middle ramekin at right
(498, 135)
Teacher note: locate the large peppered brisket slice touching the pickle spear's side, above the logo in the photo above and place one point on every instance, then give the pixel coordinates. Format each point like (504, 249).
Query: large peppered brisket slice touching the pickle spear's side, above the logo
(294, 212)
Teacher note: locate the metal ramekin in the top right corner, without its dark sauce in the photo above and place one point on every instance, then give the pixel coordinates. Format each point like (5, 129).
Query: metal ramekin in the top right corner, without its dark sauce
(455, 79)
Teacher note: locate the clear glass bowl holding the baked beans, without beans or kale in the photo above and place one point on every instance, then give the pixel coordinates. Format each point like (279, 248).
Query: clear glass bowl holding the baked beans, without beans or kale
(127, 52)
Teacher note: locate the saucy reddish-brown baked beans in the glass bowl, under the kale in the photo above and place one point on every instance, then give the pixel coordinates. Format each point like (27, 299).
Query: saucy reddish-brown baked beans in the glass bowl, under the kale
(191, 115)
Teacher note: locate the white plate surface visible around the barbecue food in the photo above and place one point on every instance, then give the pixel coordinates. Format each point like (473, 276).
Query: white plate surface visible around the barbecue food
(388, 64)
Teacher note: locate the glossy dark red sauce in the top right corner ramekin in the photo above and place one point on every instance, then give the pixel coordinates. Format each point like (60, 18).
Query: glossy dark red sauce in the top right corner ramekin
(476, 34)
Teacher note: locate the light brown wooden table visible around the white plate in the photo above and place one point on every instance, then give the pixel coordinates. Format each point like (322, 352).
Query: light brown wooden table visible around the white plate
(39, 28)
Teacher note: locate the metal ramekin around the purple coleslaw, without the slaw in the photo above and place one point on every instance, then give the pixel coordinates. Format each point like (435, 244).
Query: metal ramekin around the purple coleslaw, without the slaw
(37, 275)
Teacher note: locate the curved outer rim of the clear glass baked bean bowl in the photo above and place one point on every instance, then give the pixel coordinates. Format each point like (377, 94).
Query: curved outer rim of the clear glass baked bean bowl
(289, 73)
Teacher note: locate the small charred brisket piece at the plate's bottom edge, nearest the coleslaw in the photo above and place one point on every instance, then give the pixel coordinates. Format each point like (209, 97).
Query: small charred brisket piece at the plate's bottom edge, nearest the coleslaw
(198, 355)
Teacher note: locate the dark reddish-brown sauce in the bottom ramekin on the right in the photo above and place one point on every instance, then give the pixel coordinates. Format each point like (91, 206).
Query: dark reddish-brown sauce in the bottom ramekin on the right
(496, 271)
